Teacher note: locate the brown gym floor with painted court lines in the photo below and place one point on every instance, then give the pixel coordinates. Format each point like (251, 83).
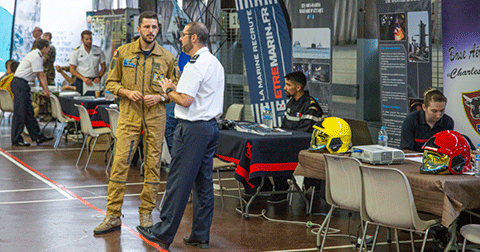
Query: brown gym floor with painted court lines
(48, 204)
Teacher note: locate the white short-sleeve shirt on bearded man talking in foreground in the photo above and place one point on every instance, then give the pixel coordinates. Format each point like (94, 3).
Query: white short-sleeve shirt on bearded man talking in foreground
(203, 79)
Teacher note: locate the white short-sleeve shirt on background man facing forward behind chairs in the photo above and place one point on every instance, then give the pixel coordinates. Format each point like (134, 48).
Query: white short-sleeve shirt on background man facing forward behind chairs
(87, 63)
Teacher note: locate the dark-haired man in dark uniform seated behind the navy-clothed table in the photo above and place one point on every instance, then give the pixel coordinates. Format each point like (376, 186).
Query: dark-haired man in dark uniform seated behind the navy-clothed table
(302, 113)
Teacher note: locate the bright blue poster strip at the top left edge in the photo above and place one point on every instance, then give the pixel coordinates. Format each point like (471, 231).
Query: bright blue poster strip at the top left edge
(7, 8)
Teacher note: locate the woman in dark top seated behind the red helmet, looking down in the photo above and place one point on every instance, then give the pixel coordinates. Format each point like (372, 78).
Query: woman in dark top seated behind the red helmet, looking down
(421, 125)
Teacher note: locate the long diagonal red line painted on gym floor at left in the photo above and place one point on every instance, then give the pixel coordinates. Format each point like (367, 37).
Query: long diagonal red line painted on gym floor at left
(132, 231)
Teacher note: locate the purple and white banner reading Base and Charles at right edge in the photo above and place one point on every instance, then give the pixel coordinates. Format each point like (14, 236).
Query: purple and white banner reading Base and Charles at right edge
(461, 65)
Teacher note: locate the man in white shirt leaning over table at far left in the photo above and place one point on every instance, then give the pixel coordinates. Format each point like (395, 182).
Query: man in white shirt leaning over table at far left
(30, 67)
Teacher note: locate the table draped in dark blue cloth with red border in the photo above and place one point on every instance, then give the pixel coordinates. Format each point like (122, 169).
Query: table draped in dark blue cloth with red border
(258, 156)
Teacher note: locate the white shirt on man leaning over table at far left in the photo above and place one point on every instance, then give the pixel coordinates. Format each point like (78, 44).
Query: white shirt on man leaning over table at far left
(30, 66)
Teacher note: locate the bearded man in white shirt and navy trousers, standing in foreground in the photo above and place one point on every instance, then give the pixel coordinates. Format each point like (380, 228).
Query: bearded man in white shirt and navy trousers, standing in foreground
(199, 103)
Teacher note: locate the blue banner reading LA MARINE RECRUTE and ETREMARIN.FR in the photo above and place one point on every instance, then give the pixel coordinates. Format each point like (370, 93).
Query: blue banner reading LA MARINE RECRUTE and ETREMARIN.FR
(267, 52)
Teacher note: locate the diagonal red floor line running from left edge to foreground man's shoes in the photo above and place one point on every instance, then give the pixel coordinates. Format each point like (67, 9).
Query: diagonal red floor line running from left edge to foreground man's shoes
(66, 192)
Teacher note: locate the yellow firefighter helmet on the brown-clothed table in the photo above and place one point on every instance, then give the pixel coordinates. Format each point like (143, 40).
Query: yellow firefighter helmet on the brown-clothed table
(332, 133)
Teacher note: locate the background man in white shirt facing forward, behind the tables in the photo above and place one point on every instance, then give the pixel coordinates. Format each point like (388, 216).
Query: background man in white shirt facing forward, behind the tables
(84, 63)
